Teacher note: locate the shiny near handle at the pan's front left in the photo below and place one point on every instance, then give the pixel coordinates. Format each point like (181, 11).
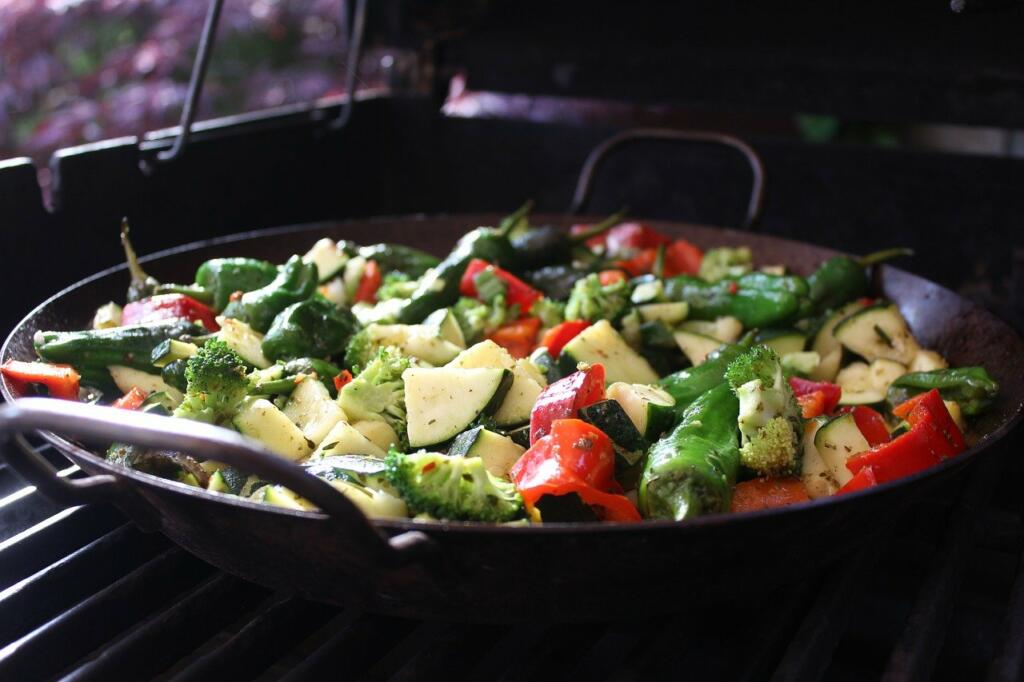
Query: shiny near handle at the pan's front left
(91, 421)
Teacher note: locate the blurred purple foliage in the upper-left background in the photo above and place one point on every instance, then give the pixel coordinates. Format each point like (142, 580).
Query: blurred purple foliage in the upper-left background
(78, 71)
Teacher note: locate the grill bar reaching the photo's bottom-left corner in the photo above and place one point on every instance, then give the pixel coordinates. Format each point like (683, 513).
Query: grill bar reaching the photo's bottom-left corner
(58, 645)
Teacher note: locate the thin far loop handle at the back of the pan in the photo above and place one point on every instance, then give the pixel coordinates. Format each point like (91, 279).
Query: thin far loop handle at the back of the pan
(601, 154)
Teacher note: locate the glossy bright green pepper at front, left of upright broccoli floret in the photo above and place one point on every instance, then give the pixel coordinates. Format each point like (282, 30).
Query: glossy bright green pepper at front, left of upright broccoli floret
(693, 471)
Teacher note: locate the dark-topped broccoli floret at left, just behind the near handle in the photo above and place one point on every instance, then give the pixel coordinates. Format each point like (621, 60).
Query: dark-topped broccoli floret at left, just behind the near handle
(218, 382)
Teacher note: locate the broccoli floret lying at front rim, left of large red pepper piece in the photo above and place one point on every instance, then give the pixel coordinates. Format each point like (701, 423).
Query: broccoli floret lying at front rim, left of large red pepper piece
(453, 488)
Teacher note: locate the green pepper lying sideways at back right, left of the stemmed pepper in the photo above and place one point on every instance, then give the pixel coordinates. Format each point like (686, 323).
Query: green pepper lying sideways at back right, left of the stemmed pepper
(756, 300)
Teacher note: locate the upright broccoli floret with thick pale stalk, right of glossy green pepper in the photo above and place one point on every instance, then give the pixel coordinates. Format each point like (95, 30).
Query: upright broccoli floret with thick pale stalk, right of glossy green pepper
(771, 423)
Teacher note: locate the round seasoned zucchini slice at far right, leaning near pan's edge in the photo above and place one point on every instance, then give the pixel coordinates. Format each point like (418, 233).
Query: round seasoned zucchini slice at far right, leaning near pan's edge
(879, 331)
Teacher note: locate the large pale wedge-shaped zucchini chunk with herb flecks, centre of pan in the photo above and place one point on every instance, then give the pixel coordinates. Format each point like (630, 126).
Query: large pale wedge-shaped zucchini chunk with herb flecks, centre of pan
(443, 402)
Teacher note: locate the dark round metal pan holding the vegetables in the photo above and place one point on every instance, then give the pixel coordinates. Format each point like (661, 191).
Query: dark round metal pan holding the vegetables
(470, 572)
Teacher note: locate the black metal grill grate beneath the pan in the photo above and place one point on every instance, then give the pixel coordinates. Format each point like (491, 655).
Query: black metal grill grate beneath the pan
(283, 637)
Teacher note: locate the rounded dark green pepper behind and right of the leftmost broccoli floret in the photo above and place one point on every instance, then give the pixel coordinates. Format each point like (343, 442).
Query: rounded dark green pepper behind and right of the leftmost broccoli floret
(314, 328)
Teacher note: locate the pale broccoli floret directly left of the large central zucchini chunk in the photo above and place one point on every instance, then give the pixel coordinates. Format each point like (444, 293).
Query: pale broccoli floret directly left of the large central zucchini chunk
(378, 392)
